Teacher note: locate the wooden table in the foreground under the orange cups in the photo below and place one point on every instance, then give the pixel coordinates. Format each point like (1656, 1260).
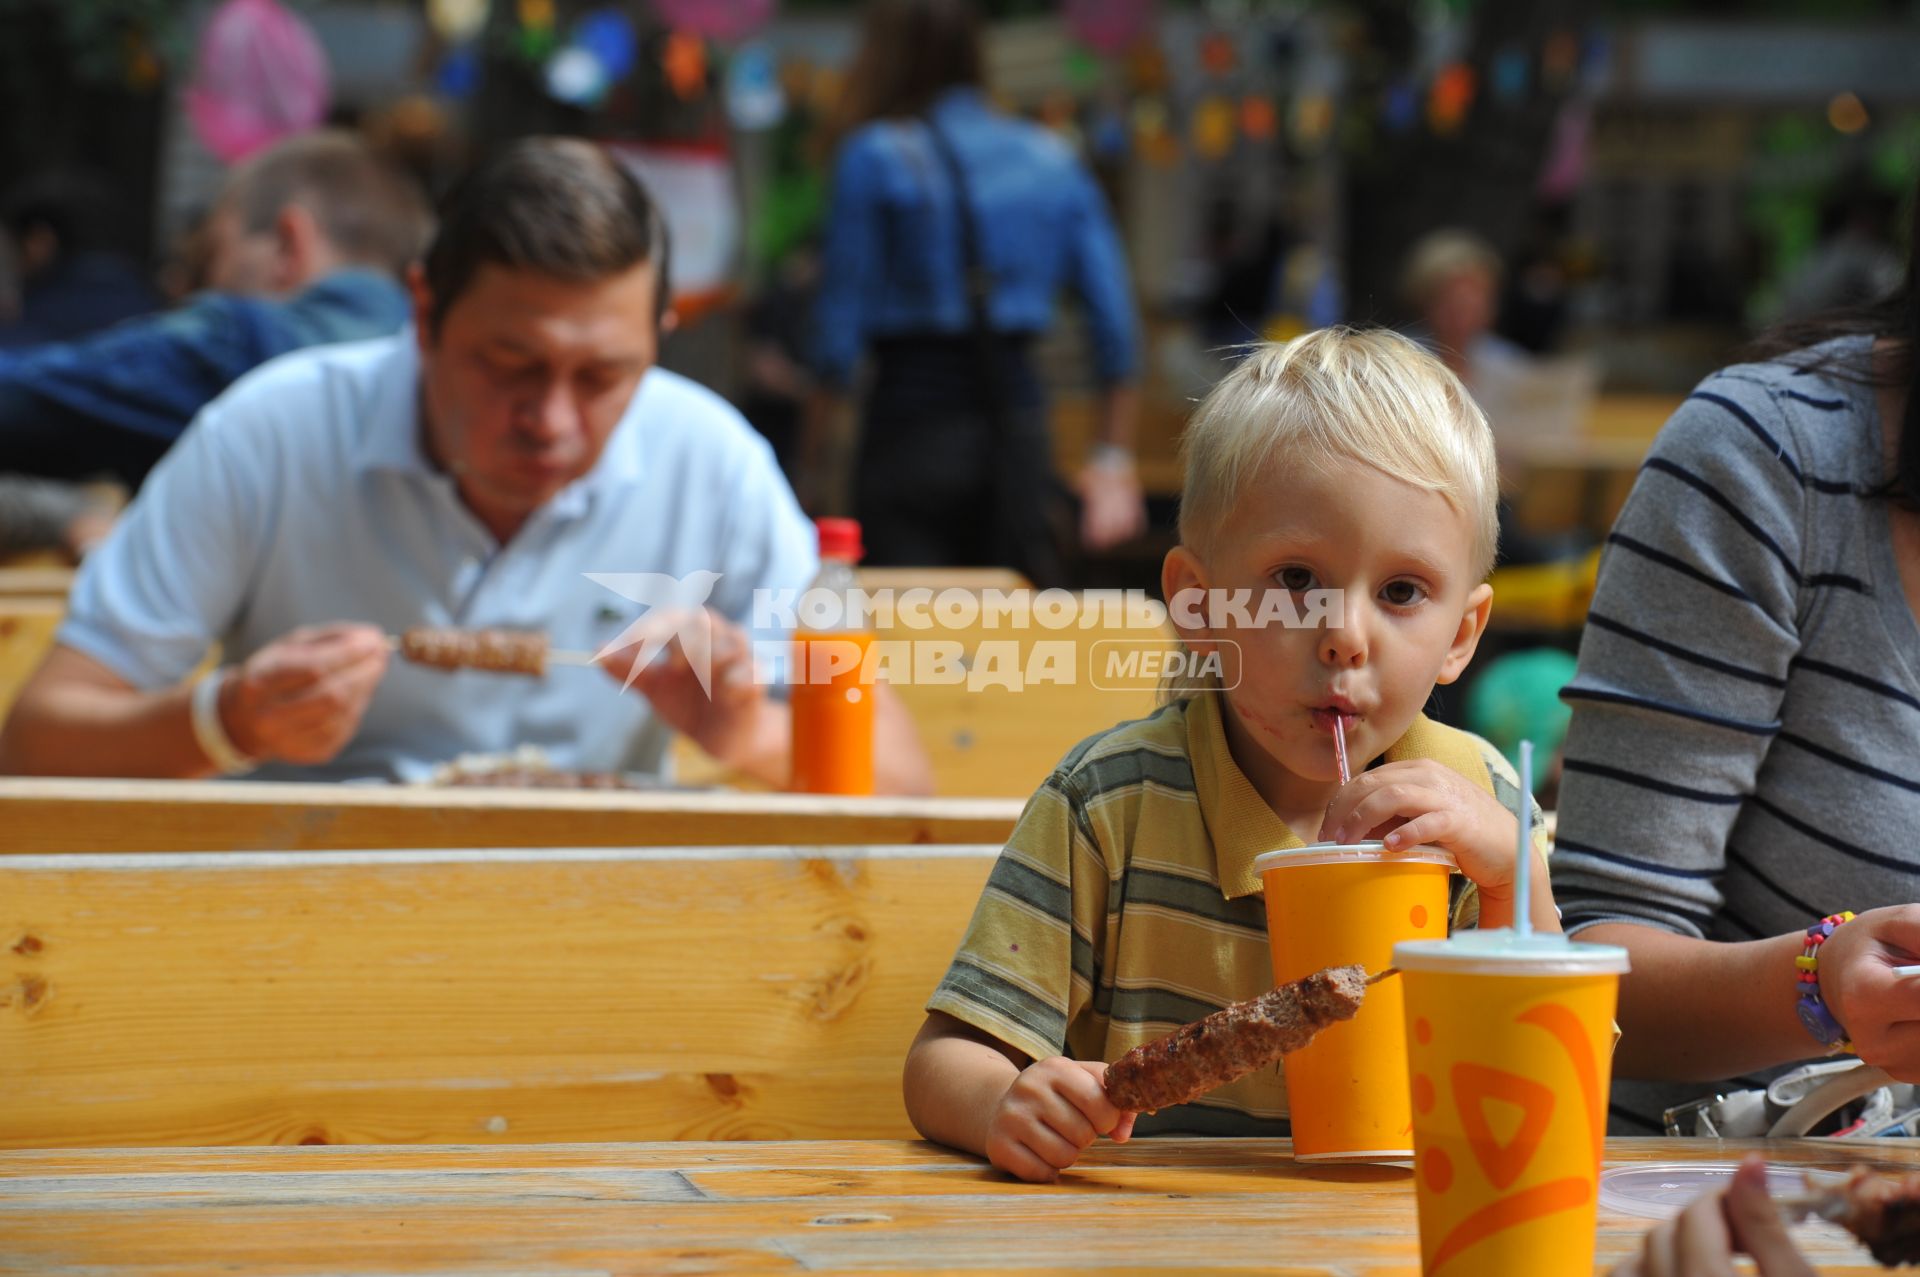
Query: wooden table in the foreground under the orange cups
(825, 1207)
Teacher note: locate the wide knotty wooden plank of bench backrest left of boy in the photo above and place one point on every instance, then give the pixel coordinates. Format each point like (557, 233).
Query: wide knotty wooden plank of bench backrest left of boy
(469, 996)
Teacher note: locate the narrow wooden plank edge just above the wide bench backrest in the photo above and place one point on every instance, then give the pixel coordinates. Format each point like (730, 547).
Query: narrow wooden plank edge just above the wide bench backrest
(156, 815)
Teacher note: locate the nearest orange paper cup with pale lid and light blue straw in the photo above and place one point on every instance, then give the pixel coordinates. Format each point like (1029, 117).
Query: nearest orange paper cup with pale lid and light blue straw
(1510, 1057)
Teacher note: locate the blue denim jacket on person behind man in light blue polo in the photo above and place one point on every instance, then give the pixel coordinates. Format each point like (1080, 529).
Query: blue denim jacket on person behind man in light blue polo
(153, 375)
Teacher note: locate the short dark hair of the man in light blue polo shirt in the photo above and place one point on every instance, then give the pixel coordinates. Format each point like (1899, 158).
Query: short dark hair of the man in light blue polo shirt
(558, 206)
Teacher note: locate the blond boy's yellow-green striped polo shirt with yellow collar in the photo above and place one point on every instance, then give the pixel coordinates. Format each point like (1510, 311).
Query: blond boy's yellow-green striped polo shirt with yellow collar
(1126, 904)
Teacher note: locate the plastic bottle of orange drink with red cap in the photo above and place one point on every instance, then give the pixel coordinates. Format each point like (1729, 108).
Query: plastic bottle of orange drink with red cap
(832, 694)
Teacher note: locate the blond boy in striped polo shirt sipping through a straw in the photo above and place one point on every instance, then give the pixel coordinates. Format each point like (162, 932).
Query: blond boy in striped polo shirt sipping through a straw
(1126, 904)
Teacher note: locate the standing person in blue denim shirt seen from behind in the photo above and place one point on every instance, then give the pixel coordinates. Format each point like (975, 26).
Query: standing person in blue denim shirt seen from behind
(951, 229)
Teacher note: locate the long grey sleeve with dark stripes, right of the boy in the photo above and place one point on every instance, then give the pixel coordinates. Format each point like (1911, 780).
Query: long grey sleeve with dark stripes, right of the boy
(1685, 663)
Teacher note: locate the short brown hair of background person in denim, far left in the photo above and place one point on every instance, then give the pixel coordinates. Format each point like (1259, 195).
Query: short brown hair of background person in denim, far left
(368, 210)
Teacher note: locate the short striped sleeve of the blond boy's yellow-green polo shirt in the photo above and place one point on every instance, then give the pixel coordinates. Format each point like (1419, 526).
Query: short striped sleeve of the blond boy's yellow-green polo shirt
(1026, 965)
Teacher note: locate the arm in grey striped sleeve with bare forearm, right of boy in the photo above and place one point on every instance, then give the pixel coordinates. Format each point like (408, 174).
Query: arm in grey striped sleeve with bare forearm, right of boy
(1683, 671)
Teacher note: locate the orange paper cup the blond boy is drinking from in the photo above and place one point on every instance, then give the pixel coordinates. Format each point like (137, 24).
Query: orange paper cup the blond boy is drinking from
(1332, 905)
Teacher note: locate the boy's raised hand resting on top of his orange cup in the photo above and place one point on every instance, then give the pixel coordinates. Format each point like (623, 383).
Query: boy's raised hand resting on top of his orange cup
(1426, 804)
